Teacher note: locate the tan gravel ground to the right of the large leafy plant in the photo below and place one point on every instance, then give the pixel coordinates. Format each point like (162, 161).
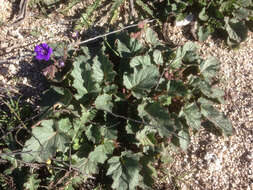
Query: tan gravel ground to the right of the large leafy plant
(213, 162)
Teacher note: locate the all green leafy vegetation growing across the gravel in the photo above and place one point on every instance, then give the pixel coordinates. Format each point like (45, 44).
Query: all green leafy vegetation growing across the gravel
(115, 106)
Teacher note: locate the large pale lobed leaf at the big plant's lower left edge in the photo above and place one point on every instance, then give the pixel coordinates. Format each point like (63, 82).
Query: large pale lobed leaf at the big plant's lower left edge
(44, 143)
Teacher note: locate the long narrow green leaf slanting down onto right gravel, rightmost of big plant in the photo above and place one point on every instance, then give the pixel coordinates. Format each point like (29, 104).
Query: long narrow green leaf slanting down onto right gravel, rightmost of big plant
(216, 117)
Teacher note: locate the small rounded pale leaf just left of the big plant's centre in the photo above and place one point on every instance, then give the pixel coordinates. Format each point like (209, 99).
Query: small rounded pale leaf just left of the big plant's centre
(104, 102)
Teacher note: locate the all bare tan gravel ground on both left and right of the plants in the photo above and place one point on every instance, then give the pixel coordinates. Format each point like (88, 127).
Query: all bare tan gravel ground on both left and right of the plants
(211, 162)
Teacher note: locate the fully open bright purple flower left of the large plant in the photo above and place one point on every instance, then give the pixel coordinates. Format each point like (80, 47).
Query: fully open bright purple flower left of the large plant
(43, 52)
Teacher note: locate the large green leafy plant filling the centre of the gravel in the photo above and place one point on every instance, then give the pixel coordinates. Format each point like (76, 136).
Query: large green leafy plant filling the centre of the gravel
(118, 110)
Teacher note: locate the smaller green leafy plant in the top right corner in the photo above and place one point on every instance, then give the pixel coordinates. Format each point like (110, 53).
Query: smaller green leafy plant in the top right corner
(225, 18)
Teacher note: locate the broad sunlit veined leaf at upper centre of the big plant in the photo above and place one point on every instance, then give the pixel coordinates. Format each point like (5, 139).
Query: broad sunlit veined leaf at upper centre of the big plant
(141, 81)
